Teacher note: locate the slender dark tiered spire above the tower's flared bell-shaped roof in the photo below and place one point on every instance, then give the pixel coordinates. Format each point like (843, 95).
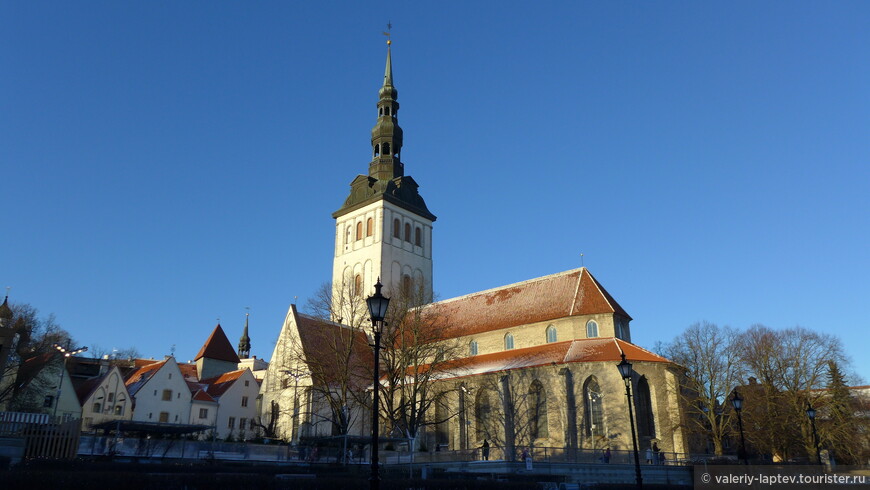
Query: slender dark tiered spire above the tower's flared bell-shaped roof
(387, 135)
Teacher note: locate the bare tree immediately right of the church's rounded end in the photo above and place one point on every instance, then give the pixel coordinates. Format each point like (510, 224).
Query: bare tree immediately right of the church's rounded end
(711, 359)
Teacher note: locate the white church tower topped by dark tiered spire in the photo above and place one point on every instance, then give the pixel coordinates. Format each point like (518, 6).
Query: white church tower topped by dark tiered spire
(384, 229)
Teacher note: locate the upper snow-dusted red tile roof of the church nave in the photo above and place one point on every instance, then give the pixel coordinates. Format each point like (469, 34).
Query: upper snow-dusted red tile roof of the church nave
(568, 293)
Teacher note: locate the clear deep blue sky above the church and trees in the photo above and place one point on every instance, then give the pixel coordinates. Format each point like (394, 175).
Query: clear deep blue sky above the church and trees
(165, 164)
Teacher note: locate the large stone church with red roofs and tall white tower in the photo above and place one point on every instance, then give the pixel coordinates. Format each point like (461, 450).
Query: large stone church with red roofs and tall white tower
(523, 366)
